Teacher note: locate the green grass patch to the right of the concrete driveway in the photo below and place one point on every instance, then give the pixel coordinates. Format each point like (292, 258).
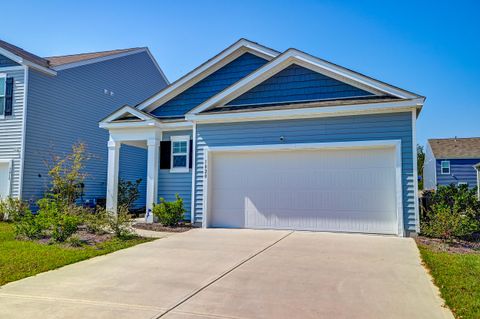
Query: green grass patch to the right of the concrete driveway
(458, 277)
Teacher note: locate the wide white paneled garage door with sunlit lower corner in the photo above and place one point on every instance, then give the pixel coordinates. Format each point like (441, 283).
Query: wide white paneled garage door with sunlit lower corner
(351, 190)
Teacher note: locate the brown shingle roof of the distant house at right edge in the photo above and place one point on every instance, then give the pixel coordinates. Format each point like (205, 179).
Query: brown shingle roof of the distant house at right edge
(455, 148)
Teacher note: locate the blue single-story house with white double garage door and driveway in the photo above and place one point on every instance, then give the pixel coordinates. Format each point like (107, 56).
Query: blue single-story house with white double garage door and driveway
(258, 138)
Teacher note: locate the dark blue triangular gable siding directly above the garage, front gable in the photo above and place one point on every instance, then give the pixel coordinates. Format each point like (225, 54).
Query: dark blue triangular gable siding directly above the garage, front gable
(297, 83)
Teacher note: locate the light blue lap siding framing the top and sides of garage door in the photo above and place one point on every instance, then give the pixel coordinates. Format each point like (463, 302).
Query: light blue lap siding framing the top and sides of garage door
(333, 129)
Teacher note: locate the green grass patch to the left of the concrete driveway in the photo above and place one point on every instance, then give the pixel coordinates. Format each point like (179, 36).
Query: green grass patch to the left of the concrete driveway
(20, 259)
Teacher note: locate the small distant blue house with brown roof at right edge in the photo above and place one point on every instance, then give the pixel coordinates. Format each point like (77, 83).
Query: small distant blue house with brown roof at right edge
(452, 161)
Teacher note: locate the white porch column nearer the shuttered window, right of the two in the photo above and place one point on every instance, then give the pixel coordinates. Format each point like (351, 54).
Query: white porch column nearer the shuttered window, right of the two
(153, 164)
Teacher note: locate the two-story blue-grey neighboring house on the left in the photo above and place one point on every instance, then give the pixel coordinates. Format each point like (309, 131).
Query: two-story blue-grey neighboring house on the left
(48, 104)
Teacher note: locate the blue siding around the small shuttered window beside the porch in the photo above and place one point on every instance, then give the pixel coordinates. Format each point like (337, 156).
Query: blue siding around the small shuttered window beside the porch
(170, 184)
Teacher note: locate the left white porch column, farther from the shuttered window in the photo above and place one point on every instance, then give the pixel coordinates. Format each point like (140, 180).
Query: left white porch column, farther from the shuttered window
(112, 176)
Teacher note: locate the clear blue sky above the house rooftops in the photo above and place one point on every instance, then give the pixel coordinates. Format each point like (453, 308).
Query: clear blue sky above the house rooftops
(428, 47)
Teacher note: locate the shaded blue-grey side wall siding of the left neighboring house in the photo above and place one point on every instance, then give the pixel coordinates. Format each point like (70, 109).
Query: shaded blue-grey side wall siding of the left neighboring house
(66, 108)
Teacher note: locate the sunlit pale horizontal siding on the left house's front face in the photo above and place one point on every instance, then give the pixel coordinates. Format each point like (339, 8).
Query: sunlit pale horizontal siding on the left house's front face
(11, 130)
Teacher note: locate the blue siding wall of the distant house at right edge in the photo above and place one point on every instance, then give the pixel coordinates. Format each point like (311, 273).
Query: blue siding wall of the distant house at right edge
(461, 171)
